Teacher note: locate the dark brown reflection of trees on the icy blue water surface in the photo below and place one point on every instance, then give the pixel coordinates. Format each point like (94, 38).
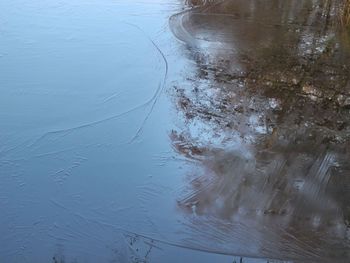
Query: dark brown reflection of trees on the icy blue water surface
(267, 115)
